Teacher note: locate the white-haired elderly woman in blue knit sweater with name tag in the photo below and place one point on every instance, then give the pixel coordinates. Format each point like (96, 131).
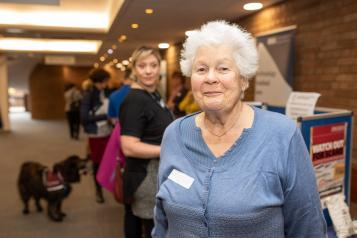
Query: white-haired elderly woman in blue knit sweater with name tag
(232, 170)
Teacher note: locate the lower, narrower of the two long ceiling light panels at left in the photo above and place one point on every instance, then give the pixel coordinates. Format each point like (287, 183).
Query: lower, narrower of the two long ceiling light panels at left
(49, 45)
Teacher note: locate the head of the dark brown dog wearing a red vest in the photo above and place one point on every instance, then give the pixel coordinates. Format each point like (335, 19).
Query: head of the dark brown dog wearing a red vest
(70, 168)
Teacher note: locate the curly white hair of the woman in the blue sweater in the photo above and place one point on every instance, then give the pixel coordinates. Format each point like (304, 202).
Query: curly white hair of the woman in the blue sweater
(217, 33)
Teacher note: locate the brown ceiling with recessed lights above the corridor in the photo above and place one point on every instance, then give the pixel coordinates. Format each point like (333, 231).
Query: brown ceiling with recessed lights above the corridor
(106, 20)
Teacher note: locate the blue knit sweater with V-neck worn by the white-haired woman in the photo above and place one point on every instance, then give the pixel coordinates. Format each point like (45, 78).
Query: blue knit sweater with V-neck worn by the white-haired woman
(263, 186)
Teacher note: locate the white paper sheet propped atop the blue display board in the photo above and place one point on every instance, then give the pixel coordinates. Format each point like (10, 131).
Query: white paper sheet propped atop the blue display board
(301, 104)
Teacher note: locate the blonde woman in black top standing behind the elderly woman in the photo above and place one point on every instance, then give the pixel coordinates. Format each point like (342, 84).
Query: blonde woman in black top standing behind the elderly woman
(144, 118)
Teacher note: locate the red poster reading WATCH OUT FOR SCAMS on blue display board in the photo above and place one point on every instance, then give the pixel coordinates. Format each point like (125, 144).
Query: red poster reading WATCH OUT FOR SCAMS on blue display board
(327, 152)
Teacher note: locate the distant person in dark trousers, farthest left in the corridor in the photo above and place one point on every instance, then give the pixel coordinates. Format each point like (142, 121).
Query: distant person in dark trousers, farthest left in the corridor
(72, 98)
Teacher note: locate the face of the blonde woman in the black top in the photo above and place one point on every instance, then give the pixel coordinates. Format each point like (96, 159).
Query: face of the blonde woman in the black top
(147, 70)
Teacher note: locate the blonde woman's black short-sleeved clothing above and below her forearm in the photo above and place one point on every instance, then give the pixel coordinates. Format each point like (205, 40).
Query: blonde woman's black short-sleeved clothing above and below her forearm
(145, 116)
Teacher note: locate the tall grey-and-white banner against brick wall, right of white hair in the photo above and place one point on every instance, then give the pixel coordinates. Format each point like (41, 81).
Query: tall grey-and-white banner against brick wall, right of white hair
(274, 79)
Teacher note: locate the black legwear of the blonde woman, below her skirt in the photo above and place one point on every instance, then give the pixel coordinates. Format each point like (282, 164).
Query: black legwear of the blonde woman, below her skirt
(136, 227)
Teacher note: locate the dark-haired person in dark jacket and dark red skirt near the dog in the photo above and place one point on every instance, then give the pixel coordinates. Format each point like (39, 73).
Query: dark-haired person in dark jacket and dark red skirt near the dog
(95, 121)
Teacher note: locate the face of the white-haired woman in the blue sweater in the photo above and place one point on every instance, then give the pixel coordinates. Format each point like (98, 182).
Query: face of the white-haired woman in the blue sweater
(215, 80)
